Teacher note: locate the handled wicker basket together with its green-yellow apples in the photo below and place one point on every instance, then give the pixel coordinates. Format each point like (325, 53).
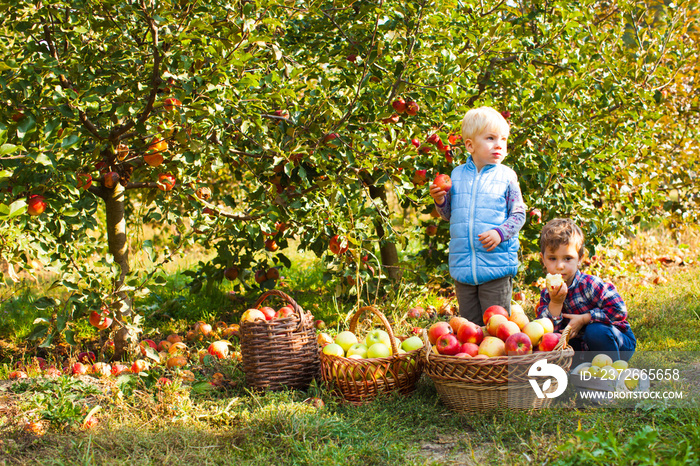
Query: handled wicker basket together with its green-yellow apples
(383, 364)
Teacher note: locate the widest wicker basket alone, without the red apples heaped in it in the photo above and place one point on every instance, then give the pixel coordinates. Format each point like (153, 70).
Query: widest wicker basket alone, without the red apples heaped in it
(469, 385)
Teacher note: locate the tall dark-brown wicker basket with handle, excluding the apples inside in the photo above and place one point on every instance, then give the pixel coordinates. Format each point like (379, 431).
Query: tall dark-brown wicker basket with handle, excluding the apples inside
(280, 353)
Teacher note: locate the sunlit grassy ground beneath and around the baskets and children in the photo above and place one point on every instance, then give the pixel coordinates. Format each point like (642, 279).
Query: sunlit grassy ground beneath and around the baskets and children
(141, 422)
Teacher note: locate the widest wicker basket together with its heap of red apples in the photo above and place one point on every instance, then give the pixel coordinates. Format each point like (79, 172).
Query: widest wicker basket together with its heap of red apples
(476, 368)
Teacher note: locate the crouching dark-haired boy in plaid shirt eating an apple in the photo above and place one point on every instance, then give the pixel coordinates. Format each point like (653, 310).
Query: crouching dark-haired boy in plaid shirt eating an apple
(589, 306)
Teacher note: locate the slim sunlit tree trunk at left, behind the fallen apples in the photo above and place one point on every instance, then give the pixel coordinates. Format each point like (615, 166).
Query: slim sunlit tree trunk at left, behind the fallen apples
(126, 337)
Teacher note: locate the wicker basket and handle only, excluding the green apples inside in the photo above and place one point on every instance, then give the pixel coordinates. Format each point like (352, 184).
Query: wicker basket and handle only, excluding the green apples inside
(359, 381)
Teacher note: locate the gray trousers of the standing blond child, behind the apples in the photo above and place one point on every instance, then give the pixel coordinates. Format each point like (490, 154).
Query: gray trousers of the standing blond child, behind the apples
(473, 300)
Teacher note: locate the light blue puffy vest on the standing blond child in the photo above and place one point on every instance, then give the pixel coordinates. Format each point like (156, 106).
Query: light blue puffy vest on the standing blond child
(478, 204)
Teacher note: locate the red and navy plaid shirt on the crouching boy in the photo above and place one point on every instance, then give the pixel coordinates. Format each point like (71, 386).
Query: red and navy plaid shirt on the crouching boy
(592, 295)
